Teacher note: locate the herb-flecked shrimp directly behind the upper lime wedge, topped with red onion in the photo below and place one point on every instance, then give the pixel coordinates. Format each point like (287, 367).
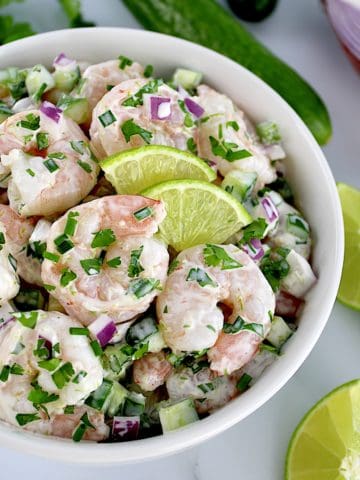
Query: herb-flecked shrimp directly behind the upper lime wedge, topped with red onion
(116, 127)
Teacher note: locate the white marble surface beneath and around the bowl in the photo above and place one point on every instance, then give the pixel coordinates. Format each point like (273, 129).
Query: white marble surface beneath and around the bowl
(254, 449)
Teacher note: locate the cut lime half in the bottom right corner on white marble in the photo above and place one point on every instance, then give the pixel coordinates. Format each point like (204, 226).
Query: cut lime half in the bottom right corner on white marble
(326, 443)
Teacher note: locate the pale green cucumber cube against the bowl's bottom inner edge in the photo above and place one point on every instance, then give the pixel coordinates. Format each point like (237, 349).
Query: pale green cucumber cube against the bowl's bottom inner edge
(177, 415)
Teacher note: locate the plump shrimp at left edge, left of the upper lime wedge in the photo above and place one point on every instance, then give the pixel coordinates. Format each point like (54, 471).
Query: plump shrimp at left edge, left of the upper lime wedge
(42, 156)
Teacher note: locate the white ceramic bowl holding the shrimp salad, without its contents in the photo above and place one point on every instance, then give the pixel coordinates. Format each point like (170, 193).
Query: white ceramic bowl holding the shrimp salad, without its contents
(315, 193)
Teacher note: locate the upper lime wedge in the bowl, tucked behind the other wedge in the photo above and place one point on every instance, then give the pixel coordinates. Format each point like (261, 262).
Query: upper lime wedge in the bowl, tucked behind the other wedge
(134, 170)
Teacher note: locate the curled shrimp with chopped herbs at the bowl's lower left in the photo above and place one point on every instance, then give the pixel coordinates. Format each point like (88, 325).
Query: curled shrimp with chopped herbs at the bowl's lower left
(47, 363)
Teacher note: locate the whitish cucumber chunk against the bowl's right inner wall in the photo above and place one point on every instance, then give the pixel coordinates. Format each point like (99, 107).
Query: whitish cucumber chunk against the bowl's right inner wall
(300, 277)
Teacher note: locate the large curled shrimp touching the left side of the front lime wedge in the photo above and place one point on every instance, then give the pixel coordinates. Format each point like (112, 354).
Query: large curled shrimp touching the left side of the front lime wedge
(108, 262)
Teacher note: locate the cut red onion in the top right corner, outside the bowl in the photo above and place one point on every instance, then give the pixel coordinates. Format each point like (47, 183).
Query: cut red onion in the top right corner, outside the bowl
(344, 16)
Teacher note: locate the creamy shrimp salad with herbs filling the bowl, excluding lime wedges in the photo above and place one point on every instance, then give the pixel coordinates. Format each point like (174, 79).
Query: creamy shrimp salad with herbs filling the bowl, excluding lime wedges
(106, 332)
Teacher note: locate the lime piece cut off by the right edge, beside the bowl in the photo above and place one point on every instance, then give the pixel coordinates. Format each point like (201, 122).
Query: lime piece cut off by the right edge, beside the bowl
(349, 291)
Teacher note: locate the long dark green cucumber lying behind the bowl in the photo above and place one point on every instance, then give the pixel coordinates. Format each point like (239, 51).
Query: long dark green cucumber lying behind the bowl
(207, 23)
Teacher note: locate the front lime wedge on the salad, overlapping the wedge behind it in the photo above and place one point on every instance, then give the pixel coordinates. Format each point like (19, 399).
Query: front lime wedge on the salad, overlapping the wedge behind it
(197, 212)
